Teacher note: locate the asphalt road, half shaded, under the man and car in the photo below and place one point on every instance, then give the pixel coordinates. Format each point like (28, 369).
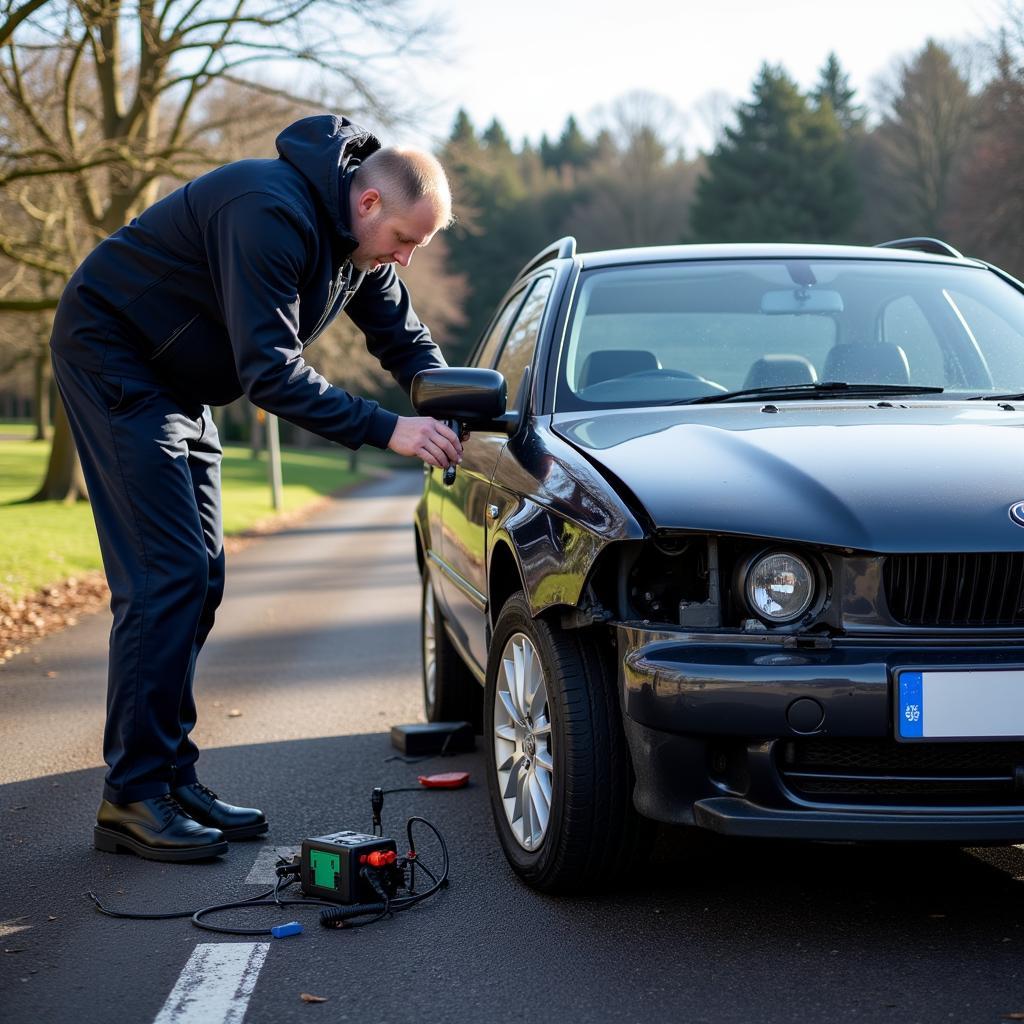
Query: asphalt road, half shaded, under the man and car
(317, 648)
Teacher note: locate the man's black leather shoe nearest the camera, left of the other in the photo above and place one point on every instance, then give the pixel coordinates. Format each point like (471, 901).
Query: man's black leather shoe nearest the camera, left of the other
(157, 830)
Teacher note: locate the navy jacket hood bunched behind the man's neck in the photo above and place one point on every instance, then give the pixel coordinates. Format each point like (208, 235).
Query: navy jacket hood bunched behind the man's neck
(321, 149)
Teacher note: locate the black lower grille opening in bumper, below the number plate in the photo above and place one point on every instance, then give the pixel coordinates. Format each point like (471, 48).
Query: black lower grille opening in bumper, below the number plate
(882, 772)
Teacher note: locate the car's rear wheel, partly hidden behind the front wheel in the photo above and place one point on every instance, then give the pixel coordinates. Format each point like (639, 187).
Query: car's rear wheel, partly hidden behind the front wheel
(452, 693)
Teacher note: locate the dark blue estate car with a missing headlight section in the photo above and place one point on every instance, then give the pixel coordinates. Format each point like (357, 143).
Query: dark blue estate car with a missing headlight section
(746, 551)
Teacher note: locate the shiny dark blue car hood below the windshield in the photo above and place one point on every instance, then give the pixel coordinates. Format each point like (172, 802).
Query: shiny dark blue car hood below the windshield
(912, 478)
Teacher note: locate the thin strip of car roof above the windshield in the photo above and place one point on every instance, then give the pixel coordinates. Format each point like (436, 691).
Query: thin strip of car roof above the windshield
(734, 251)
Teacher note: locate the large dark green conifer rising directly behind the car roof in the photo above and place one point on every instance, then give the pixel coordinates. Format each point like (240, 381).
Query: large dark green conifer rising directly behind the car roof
(783, 174)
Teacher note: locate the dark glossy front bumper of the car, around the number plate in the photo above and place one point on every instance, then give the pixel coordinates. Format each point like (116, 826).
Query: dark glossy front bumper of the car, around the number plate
(737, 735)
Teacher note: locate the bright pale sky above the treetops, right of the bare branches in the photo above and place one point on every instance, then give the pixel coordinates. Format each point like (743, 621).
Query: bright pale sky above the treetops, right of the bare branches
(533, 63)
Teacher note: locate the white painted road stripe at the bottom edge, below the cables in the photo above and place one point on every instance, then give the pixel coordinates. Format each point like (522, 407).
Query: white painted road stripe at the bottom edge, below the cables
(216, 985)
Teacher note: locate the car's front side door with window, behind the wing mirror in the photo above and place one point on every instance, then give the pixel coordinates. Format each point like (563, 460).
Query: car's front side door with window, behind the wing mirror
(464, 514)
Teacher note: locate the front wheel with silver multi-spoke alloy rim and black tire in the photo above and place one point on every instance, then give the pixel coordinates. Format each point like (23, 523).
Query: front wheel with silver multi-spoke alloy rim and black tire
(592, 834)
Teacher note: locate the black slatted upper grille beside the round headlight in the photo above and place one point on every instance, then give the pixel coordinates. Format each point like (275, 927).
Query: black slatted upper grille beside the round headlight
(978, 590)
